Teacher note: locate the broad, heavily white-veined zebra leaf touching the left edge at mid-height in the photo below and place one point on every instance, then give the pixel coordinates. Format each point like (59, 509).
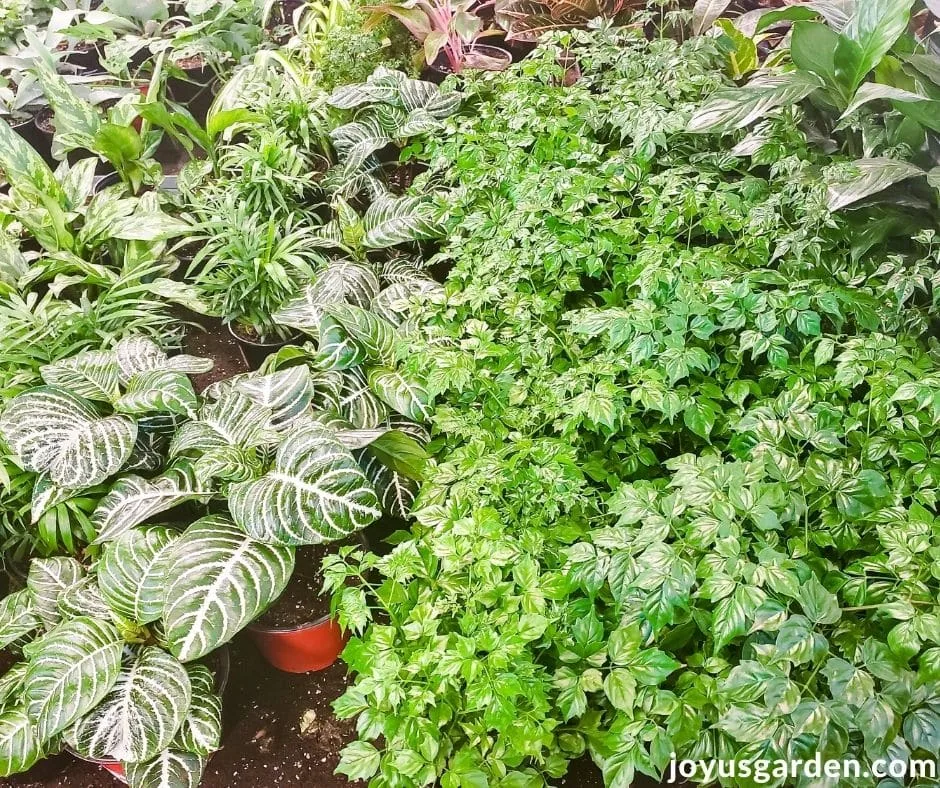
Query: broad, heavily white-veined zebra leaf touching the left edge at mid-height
(52, 431)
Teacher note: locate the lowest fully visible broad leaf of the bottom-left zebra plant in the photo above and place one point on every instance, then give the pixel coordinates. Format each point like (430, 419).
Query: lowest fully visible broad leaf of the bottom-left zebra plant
(142, 713)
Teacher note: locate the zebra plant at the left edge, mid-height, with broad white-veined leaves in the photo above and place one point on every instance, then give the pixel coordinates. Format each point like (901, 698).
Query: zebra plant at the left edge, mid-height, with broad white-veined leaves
(96, 415)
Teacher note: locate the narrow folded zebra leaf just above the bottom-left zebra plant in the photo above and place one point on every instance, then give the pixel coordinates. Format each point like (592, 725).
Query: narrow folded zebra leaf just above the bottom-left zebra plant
(132, 499)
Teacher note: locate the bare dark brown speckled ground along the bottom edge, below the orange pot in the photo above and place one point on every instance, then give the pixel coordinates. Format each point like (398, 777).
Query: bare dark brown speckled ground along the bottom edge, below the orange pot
(279, 731)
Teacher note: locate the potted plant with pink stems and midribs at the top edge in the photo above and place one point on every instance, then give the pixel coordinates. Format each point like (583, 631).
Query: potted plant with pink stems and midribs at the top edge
(451, 32)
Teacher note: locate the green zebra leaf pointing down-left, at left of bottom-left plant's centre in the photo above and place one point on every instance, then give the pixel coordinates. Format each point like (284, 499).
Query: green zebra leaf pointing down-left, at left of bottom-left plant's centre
(76, 666)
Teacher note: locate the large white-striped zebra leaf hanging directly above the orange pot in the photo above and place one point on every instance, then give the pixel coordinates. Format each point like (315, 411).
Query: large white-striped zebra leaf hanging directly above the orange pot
(316, 493)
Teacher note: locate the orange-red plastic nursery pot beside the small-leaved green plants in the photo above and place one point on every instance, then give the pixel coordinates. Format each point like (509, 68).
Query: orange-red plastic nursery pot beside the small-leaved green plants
(305, 648)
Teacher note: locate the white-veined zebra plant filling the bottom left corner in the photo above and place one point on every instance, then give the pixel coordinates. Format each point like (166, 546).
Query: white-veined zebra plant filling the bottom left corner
(111, 653)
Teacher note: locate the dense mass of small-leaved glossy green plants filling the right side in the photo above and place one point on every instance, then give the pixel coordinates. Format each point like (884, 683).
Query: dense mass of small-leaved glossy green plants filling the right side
(686, 489)
